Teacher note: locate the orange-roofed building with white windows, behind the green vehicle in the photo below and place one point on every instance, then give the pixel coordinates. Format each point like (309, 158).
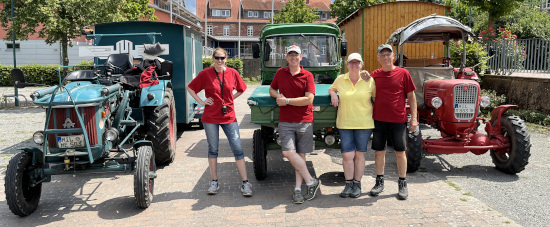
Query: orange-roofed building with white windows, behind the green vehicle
(222, 21)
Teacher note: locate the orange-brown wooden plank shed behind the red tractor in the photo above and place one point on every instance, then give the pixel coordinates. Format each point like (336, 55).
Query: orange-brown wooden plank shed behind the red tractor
(371, 26)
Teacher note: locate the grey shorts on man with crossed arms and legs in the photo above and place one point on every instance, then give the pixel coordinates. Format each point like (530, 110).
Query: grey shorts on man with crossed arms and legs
(296, 136)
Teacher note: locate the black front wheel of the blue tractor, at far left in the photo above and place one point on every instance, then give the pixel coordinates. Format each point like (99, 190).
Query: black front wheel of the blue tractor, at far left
(21, 197)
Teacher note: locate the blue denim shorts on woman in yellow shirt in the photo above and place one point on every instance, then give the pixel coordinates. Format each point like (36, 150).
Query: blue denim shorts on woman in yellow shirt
(354, 139)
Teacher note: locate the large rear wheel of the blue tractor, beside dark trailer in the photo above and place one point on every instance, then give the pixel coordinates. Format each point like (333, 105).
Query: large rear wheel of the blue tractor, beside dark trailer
(162, 128)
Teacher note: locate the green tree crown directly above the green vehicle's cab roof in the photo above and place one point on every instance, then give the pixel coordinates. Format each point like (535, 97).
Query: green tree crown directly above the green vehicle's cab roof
(296, 11)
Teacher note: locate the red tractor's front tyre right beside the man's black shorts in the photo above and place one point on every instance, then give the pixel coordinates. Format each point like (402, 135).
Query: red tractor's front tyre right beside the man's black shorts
(414, 149)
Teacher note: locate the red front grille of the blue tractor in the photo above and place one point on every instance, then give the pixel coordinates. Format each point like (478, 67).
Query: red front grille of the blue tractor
(60, 116)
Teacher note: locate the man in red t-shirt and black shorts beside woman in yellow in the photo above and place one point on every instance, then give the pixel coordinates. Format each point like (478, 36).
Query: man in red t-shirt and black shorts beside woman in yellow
(393, 86)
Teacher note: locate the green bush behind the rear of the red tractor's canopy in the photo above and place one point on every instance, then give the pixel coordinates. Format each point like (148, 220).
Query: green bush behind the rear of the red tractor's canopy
(475, 53)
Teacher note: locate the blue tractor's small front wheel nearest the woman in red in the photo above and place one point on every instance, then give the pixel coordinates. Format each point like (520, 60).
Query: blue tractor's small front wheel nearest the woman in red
(144, 176)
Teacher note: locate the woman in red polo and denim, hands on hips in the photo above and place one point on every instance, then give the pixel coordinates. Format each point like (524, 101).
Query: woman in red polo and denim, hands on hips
(218, 83)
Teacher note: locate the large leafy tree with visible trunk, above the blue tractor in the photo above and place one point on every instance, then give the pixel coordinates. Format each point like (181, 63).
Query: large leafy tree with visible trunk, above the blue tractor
(63, 20)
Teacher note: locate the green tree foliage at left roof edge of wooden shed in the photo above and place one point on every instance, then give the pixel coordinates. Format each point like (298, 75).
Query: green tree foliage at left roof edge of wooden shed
(341, 9)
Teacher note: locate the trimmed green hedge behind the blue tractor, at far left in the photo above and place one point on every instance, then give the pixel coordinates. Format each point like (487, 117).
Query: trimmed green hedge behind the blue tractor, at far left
(35, 73)
